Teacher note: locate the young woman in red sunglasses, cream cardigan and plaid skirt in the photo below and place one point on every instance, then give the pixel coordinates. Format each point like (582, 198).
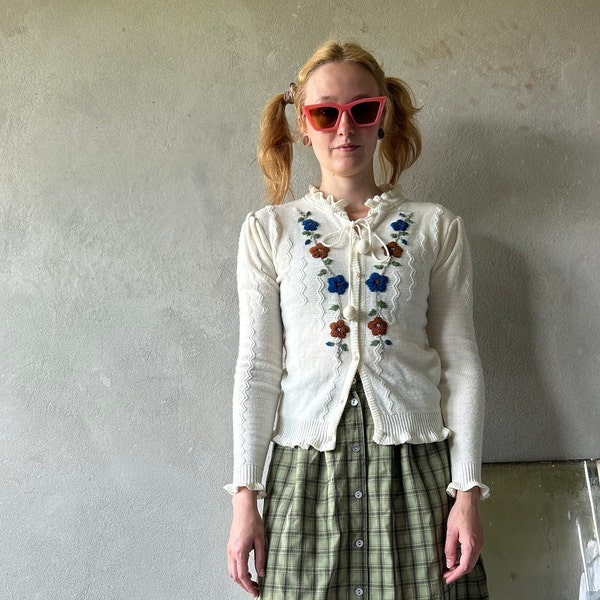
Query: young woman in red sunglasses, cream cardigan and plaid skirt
(357, 359)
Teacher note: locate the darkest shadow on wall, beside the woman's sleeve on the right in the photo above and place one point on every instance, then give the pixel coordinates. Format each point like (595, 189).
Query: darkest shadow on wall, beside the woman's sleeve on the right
(520, 420)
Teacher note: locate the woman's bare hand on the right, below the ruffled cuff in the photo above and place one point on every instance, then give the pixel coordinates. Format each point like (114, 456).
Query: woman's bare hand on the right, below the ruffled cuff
(464, 530)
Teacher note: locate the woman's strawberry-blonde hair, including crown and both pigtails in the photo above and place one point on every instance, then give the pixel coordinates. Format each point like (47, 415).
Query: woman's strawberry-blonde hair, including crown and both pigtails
(398, 150)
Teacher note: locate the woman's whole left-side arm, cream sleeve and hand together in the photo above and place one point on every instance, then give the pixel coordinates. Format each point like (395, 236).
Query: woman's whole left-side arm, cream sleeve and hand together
(256, 392)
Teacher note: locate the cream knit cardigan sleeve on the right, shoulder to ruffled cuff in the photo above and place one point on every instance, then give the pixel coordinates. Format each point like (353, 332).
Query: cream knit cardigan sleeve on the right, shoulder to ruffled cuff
(451, 332)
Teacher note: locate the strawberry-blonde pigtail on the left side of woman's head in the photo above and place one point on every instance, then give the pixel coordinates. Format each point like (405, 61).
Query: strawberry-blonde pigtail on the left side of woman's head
(275, 149)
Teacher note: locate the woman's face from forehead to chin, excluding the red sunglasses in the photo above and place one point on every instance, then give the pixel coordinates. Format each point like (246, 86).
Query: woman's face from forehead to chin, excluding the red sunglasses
(348, 150)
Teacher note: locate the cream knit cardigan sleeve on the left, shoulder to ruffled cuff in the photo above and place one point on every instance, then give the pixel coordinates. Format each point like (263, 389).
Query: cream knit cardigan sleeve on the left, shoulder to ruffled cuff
(259, 364)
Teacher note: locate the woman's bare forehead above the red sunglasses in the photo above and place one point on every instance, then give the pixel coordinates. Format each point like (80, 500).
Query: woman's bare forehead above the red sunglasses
(340, 82)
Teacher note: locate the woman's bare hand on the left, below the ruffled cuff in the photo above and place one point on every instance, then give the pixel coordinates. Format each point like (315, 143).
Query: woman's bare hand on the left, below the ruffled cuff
(247, 534)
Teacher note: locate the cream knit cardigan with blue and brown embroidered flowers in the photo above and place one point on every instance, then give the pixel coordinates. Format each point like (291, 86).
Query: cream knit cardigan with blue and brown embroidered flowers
(322, 298)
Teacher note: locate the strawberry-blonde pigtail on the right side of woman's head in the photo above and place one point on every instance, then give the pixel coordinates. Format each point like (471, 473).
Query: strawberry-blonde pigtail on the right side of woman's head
(401, 145)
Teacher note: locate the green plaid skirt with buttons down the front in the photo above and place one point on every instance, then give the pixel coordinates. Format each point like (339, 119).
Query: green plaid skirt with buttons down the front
(363, 521)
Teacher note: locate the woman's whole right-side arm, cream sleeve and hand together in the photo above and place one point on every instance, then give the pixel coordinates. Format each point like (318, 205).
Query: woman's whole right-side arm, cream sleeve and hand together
(451, 333)
